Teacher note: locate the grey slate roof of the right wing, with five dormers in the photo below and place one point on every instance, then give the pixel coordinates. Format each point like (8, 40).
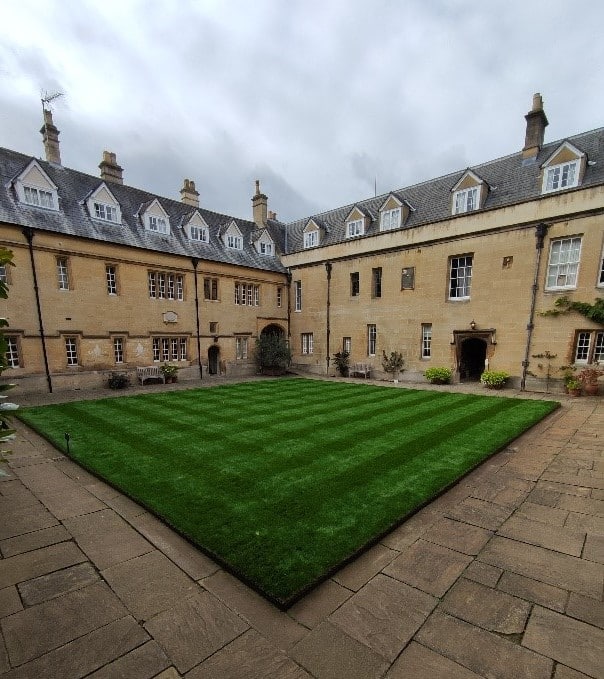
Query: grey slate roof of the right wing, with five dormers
(510, 179)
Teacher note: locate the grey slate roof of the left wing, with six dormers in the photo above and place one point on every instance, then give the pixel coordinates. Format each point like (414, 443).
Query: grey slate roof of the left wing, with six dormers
(73, 218)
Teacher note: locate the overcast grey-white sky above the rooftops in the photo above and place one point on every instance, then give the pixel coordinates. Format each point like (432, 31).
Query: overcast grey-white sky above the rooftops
(319, 100)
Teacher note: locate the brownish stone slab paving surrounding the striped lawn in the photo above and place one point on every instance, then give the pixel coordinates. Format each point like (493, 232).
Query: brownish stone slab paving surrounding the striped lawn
(501, 577)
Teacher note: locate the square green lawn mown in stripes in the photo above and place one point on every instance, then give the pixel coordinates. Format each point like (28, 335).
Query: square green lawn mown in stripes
(283, 480)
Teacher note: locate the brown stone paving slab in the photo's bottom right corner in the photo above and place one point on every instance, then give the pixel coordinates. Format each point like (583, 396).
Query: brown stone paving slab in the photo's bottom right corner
(571, 642)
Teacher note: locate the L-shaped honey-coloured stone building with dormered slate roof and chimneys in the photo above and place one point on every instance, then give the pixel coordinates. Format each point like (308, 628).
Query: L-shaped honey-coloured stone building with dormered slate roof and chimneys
(455, 271)
